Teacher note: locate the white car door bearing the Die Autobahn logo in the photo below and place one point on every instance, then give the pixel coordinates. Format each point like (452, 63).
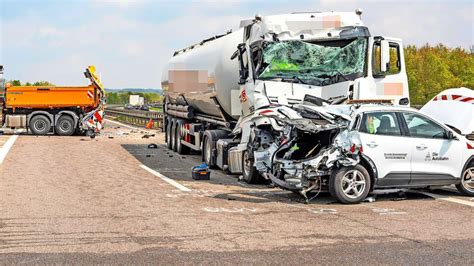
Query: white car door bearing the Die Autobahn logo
(436, 160)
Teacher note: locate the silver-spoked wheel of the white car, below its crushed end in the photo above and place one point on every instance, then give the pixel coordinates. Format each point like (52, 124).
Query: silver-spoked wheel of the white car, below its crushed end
(350, 184)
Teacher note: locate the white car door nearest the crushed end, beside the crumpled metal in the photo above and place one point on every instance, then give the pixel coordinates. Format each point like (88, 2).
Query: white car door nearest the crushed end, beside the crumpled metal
(384, 144)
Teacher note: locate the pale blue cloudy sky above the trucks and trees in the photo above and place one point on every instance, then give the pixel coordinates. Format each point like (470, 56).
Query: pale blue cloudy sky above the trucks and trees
(130, 41)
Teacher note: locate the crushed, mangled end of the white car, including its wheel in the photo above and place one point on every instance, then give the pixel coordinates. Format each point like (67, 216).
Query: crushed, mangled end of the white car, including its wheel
(299, 148)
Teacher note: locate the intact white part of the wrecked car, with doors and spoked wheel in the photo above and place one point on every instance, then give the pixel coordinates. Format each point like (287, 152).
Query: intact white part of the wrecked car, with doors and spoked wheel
(404, 148)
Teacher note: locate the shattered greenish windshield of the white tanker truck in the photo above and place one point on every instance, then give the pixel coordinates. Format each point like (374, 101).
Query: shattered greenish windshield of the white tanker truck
(320, 63)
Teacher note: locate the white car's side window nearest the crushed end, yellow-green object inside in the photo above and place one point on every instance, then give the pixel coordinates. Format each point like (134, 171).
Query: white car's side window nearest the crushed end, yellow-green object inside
(380, 123)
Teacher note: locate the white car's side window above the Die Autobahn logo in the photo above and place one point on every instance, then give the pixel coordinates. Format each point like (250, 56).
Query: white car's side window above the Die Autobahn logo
(423, 127)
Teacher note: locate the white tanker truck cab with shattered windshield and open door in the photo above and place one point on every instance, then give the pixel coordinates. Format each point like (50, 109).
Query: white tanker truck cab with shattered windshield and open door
(328, 55)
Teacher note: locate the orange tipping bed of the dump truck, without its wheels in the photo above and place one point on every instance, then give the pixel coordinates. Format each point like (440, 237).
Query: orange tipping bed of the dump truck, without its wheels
(50, 97)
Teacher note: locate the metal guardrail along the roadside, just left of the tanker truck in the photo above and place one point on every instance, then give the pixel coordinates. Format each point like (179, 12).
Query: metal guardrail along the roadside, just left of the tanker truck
(135, 117)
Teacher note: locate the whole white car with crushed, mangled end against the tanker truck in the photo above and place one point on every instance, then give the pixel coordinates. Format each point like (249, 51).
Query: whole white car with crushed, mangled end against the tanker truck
(349, 150)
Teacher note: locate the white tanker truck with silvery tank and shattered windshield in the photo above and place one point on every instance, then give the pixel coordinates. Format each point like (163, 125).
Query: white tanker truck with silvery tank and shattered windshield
(222, 95)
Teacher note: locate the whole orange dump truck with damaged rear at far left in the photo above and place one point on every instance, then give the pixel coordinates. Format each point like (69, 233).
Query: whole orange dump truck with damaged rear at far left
(55, 109)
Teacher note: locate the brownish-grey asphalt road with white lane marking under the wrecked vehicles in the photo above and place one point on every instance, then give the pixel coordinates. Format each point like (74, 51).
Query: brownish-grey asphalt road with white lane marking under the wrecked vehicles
(113, 200)
